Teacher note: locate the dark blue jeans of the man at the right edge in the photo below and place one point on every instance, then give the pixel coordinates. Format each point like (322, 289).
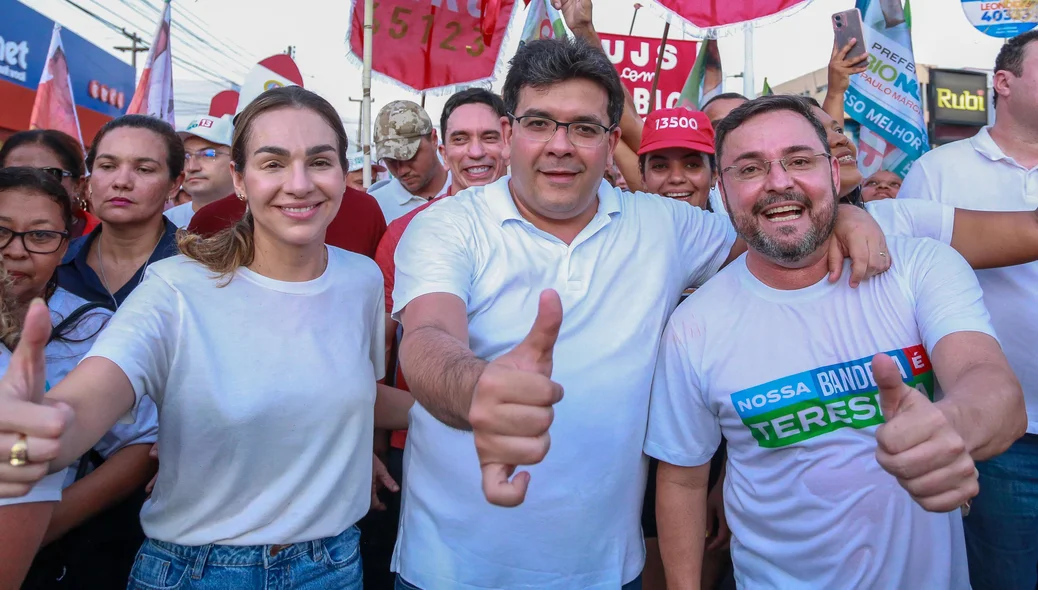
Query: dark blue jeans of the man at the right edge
(1002, 528)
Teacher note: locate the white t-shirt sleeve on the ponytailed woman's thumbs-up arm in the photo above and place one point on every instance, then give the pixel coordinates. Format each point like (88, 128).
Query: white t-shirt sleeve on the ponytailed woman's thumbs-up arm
(143, 338)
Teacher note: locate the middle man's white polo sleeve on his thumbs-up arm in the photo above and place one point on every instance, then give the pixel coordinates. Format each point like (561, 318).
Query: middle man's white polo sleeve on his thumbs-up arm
(433, 256)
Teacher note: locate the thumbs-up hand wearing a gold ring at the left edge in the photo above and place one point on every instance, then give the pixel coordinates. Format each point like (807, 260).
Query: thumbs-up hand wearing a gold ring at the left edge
(30, 431)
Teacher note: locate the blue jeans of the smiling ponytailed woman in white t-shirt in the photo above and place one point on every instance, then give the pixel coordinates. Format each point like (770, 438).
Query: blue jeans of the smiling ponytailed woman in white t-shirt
(325, 565)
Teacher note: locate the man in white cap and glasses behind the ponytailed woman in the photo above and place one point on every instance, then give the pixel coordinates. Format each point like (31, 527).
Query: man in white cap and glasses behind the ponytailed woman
(207, 167)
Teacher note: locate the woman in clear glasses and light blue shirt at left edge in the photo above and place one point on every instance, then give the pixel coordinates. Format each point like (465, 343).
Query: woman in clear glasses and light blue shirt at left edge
(36, 217)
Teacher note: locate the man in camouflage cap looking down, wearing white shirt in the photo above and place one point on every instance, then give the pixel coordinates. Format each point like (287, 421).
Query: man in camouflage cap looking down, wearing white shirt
(405, 142)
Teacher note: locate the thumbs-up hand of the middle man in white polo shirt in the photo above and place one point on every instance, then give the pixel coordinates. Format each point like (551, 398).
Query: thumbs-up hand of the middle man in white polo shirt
(512, 408)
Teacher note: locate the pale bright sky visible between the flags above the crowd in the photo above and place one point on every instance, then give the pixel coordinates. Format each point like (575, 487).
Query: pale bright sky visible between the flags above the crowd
(240, 33)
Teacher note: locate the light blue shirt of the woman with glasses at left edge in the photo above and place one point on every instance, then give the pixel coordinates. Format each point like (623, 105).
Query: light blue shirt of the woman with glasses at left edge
(63, 356)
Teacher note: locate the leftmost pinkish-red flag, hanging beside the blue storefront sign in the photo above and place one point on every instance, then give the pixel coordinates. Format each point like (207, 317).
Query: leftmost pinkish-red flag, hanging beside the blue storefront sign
(54, 108)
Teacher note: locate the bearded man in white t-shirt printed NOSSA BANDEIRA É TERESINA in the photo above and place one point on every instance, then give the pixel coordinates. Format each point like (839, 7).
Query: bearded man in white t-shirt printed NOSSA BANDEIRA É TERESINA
(842, 472)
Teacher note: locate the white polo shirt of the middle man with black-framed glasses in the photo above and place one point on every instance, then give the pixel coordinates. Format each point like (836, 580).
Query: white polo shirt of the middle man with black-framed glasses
(621, 278)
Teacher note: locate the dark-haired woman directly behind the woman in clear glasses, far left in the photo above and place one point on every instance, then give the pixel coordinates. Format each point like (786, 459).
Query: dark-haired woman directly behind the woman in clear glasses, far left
(61, 156)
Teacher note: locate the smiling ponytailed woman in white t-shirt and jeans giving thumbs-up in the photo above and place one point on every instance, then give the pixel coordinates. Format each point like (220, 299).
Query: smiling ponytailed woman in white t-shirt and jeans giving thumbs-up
(262, 348)
